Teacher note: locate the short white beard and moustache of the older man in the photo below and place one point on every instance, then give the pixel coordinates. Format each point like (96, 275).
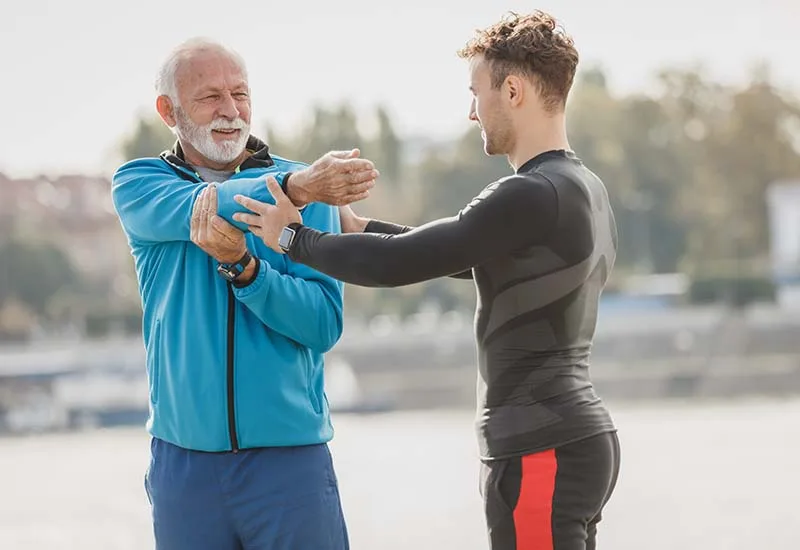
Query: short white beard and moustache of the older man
(202, 140)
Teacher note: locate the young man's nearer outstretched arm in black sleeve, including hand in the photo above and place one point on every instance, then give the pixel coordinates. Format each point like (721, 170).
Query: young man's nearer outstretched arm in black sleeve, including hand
(506, 216)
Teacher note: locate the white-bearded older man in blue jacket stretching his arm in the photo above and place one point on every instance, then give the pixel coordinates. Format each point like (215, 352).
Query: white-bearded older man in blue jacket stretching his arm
(234, 332)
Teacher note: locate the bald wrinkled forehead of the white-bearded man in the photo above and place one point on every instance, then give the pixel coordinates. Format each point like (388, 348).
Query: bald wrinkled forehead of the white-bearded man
(209, 68)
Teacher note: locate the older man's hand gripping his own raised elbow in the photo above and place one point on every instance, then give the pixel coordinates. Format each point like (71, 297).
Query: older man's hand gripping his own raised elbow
(211, 233)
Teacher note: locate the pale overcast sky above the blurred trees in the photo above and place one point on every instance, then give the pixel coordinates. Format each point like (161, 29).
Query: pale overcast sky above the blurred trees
(77, 73)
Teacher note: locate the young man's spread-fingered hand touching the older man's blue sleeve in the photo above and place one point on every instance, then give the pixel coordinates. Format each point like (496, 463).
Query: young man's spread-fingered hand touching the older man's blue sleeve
(267, 221)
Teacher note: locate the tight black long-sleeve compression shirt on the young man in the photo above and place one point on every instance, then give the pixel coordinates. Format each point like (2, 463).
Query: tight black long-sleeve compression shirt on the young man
(540, 244)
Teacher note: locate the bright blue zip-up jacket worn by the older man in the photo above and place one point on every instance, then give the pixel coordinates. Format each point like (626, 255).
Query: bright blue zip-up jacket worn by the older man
(229, 368)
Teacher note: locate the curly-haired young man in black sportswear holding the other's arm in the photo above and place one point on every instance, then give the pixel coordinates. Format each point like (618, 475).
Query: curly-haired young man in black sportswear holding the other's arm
(541, 244)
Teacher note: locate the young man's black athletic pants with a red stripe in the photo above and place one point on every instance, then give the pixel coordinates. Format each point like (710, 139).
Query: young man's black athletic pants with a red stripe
(551, 500)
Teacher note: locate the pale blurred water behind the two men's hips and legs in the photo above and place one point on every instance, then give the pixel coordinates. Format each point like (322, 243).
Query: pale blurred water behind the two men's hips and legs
(694, 476)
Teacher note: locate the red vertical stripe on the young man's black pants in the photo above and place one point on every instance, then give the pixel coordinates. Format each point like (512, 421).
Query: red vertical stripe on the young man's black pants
(533, 515)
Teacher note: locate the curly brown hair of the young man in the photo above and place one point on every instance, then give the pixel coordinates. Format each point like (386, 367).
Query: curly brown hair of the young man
(532, 45)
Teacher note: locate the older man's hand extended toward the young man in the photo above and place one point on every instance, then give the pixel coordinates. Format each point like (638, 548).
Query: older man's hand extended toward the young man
(336, 178)
